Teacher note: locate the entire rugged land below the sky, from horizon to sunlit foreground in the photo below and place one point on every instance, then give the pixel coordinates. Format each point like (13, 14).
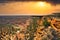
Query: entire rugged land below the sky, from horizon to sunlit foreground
(31, 27)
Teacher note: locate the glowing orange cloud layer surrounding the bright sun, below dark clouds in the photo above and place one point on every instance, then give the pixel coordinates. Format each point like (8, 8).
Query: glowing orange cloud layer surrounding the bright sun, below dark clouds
(27, 8)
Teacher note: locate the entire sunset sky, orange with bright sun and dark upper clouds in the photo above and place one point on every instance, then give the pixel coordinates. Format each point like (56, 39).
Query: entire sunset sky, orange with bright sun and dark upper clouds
(25, 7)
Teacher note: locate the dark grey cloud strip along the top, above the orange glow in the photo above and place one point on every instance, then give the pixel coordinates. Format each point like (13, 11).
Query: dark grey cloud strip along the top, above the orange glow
(51, 1)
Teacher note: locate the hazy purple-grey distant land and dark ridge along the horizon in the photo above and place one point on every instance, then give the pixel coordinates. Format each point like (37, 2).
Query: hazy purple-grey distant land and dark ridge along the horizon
(18, 19)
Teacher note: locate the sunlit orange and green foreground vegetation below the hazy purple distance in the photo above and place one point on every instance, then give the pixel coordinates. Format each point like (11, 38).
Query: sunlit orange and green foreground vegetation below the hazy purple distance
(34, 31)
